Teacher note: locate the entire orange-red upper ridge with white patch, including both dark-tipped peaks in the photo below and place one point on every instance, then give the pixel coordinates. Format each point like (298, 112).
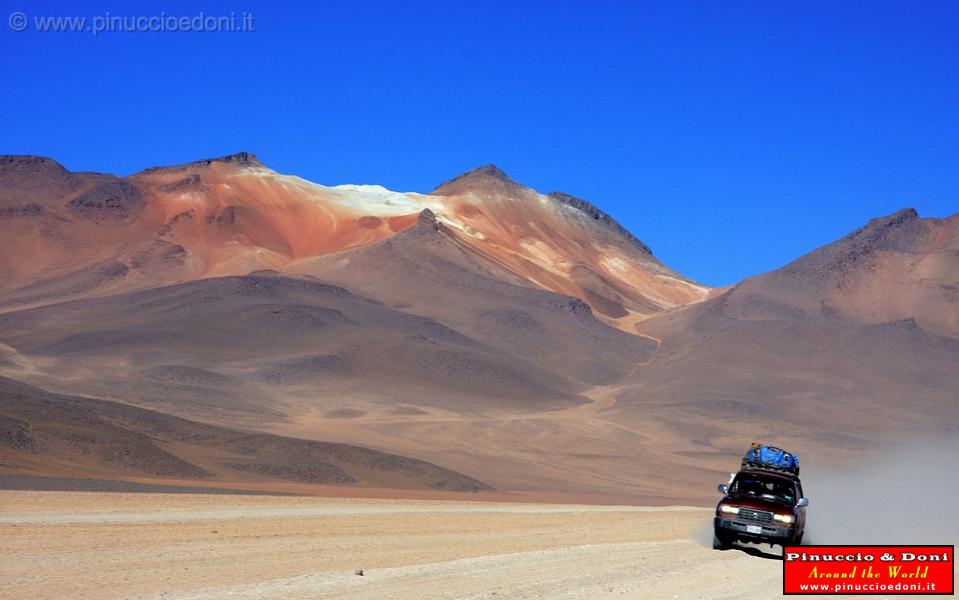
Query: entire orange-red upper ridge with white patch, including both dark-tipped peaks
(232, 215)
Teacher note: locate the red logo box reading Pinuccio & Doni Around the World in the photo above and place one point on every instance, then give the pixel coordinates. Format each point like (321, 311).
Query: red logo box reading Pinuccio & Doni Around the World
(869, 570)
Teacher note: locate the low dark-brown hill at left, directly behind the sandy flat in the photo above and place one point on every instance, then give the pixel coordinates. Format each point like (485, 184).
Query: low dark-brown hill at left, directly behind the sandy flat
(44, 433)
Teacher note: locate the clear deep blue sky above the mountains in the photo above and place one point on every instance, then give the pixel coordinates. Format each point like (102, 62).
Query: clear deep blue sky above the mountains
(730, 136)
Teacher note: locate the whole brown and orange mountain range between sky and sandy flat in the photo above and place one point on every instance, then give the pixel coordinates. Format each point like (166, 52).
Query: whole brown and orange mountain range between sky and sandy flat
(221, 324)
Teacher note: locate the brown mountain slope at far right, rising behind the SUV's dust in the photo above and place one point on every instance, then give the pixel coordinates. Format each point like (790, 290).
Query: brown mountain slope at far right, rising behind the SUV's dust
(845, 347)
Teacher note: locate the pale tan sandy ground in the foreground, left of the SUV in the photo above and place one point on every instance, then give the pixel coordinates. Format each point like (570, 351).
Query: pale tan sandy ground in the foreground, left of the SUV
(99, 545)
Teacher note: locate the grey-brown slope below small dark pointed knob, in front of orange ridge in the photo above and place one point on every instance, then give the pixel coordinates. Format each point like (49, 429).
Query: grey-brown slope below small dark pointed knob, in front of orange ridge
(430, 270)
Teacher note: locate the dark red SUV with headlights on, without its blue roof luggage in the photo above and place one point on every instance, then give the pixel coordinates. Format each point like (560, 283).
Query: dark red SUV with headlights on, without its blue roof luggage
(760, 505)
